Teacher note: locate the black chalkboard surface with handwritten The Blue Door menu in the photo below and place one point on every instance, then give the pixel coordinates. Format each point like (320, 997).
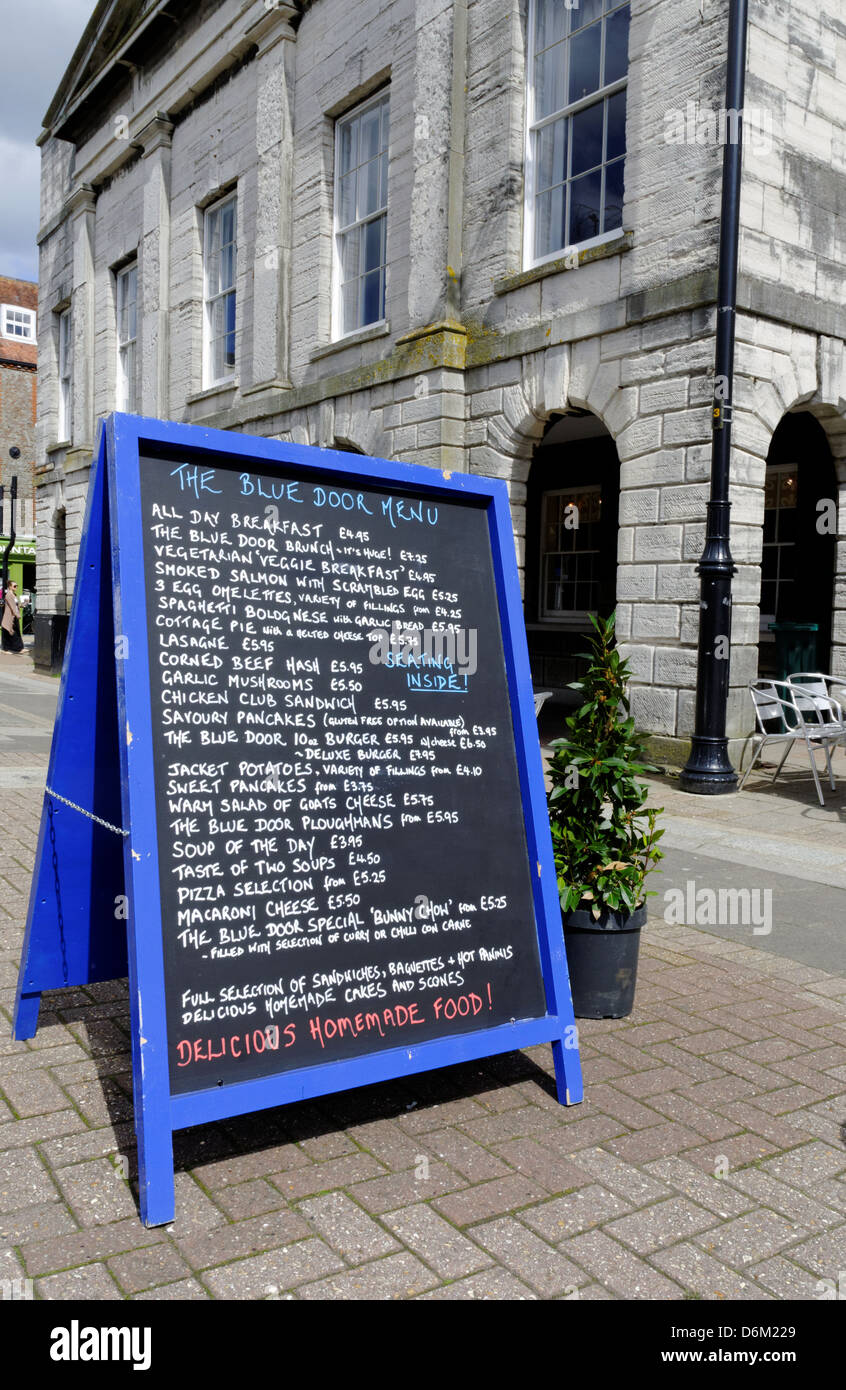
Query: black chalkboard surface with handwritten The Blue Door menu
(341, 837)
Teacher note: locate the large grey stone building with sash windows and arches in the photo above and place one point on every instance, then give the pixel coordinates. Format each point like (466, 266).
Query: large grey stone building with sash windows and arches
(479, 236)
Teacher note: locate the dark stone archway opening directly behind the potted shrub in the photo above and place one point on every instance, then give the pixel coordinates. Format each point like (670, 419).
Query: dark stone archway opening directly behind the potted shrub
(573, 502)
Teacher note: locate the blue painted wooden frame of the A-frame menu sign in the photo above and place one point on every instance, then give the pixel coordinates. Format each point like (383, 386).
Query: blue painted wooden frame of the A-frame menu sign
(102, 767)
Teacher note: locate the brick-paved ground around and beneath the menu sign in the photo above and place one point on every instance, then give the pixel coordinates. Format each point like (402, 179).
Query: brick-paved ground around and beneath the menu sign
(706, 1163)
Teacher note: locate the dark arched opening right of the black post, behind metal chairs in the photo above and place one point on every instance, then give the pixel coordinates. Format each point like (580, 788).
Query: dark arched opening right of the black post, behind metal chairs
(798, 561)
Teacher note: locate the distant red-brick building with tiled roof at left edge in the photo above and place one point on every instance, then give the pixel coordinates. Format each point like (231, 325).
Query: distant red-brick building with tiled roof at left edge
(19, 395)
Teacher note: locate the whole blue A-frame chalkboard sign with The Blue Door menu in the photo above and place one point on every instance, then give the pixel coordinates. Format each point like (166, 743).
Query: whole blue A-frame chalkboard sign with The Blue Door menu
(295, 787)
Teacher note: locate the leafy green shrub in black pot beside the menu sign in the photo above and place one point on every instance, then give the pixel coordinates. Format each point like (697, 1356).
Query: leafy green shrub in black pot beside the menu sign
(605, 837)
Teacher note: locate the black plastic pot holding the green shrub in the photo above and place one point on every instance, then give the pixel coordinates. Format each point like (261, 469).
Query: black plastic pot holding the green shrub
(602, 958)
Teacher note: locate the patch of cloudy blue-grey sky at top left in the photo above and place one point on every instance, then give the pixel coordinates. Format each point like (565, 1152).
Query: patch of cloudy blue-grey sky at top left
(42, 37)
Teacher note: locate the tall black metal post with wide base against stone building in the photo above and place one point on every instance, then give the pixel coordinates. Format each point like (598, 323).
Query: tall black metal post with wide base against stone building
(709, 771)
